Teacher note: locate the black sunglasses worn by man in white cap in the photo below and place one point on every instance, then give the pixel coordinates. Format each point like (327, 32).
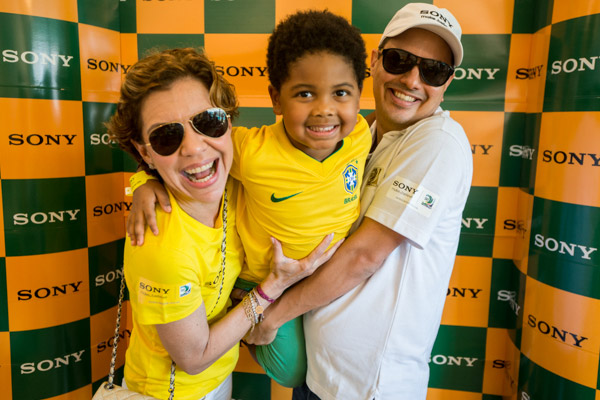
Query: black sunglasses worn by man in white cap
(433, 72)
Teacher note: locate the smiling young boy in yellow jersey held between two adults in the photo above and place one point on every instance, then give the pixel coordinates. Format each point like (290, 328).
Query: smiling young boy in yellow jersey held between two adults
(301, 176)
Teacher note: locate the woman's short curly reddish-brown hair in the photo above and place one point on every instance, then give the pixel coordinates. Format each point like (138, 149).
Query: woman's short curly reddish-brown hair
(157, 72)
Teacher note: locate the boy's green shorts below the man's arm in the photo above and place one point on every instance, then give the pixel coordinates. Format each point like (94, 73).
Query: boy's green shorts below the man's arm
(284, 359)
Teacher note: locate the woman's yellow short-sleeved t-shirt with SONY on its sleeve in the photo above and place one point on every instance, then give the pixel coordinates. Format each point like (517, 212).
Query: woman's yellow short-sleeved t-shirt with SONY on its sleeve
(168, 278)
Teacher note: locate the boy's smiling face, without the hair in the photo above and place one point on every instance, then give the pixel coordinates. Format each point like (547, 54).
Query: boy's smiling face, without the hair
(319, 103)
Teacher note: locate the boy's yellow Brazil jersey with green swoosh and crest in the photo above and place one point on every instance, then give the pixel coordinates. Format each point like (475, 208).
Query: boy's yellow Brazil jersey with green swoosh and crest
(291, 196)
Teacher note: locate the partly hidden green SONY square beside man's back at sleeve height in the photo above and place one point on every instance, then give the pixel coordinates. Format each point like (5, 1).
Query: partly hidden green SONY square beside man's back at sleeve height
(478, 222)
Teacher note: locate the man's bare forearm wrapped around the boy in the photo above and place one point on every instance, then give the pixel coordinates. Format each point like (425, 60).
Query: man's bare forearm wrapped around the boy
(359, 257)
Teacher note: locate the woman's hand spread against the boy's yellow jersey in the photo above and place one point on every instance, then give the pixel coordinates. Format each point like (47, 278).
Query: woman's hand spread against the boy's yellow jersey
(287, 271)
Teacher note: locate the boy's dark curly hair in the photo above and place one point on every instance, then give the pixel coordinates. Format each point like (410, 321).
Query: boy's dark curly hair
(309, 32)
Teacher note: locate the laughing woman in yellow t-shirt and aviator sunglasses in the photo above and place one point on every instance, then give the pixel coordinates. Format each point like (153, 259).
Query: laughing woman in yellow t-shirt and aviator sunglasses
(174, 118)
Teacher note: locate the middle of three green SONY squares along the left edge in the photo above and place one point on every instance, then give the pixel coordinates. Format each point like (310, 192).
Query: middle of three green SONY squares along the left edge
(44, 215)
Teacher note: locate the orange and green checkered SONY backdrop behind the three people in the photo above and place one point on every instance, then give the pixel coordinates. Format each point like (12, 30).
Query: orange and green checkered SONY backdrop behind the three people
(521, 317)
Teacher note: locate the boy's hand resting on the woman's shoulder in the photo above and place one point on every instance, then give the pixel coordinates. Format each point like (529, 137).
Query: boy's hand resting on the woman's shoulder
(142, 210)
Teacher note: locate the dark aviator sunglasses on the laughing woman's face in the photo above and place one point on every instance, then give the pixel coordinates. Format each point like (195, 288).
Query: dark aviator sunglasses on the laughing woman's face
(166, 138)
